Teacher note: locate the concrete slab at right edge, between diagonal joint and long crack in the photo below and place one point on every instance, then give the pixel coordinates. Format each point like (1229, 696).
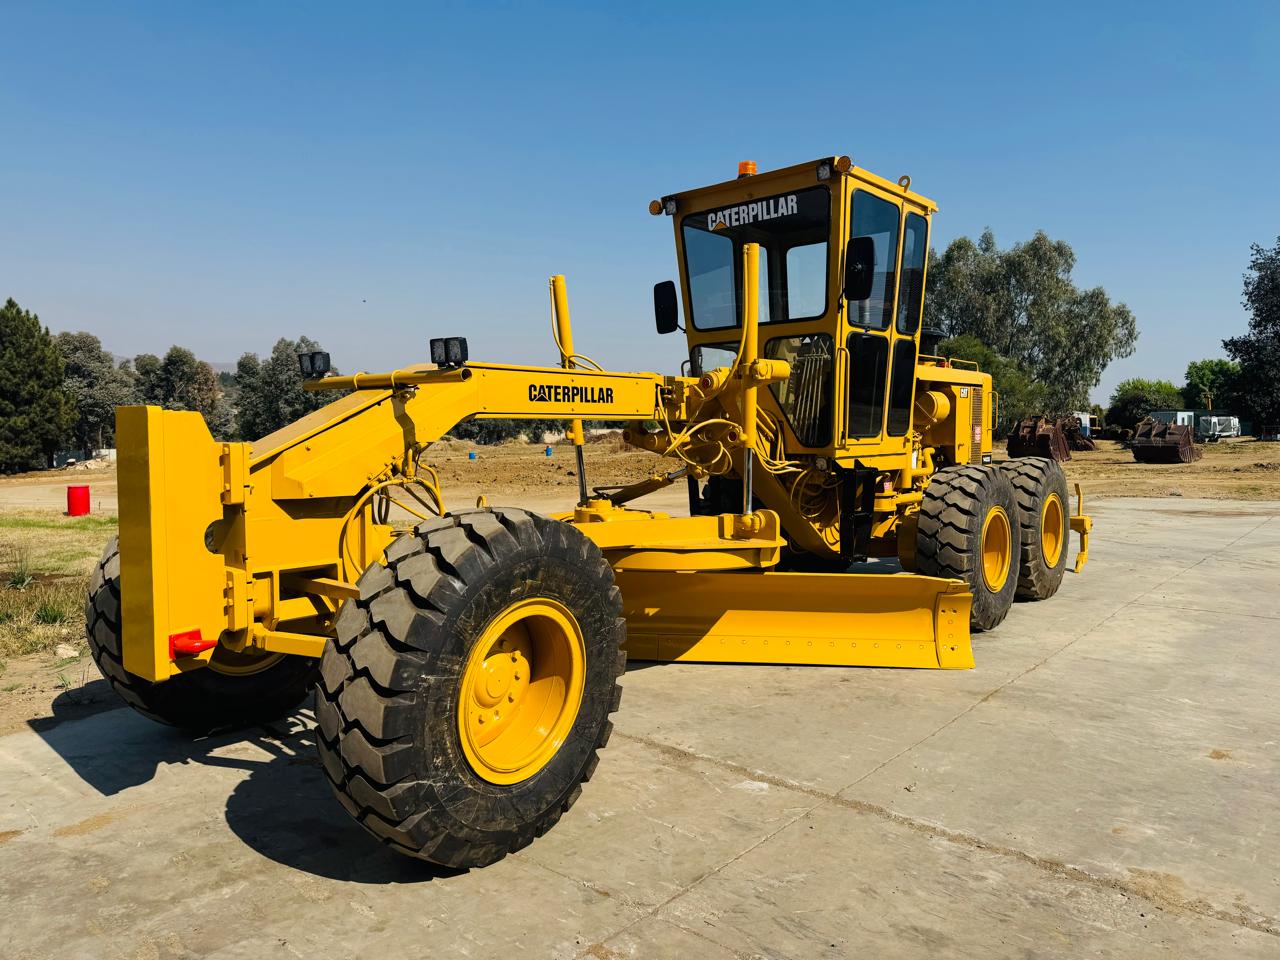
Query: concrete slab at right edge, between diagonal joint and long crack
(1139, 752)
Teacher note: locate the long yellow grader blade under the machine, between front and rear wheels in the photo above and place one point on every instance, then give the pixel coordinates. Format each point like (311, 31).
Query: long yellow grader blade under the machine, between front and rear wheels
(839, 620)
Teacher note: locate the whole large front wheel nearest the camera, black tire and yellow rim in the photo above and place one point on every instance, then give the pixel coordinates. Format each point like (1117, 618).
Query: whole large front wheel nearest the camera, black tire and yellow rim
(422, 661)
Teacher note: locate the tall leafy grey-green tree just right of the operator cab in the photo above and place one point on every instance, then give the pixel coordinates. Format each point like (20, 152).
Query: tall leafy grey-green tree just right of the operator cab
(1022, 304)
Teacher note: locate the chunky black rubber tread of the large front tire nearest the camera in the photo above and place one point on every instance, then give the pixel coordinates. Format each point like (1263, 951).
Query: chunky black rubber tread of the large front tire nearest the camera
(367, 697)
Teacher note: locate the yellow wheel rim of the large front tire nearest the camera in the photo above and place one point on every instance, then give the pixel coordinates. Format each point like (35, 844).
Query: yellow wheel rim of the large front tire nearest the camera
(522, 691)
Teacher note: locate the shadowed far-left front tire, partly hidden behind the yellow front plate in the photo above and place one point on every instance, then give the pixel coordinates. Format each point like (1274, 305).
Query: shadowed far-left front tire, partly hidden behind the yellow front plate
(202, 701)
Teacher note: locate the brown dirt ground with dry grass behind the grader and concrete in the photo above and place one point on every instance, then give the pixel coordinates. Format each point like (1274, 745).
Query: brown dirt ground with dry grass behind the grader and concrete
(61, 551)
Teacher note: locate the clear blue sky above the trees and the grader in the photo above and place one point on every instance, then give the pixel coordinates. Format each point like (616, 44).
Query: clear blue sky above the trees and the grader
(222, 175)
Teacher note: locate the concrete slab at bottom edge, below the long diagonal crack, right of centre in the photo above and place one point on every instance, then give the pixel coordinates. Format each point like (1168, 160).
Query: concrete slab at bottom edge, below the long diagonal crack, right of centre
(843, 884)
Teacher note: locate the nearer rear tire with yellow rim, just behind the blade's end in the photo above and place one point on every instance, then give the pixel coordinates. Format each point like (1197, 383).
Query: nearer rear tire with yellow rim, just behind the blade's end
(966, 532)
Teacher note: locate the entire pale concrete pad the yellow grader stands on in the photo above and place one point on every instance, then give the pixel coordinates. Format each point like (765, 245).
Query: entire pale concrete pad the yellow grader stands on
(1104, 784)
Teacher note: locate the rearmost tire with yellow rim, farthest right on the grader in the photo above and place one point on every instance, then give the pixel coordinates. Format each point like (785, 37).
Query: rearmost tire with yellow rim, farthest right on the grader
(1043, 499)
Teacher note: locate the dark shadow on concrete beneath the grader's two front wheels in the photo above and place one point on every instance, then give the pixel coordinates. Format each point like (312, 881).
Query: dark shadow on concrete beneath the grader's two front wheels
(284, 810)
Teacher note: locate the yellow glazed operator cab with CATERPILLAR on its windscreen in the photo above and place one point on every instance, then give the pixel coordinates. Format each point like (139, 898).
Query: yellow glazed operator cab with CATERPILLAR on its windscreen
(843, 258)
